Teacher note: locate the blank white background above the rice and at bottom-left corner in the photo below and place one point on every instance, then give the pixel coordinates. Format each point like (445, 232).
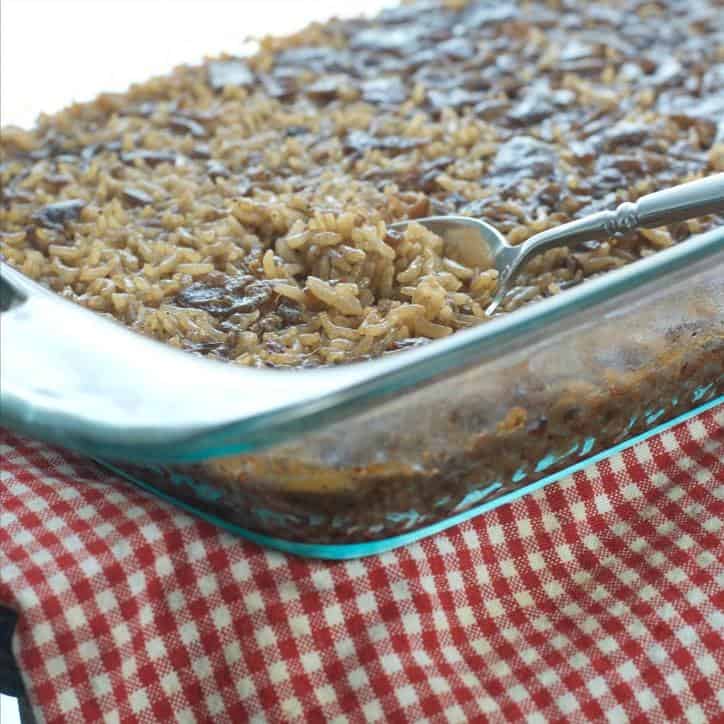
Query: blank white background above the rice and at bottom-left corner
(53, 52)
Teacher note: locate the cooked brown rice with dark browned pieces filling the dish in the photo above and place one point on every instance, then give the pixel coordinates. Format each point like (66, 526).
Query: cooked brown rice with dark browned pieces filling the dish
(239, 209)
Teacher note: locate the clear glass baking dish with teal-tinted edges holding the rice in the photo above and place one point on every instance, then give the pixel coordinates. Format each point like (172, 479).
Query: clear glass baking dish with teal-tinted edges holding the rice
(397, 448)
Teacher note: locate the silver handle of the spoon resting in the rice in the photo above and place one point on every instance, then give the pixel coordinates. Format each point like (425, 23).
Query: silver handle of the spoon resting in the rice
(679, 203)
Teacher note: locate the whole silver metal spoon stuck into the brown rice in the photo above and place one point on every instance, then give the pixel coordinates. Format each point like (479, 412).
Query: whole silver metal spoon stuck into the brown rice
(476, 243)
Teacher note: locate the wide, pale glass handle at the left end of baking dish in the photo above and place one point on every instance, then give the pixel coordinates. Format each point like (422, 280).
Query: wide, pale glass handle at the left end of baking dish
(76, 378)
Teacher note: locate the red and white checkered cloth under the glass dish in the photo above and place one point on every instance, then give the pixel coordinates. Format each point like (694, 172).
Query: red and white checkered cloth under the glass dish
(598, 597)
